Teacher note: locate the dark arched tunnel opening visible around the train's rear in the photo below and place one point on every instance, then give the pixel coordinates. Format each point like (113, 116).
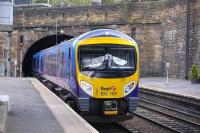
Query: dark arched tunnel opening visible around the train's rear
(37, 46)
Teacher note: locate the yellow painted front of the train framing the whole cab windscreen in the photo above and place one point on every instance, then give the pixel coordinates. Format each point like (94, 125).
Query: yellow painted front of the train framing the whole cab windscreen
(107, 87)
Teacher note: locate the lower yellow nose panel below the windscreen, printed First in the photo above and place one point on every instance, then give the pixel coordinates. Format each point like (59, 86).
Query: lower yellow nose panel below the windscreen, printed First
(108, 88)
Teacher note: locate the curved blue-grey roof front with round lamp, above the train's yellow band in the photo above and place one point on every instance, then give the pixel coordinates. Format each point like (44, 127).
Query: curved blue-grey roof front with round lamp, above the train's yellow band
(104, 33)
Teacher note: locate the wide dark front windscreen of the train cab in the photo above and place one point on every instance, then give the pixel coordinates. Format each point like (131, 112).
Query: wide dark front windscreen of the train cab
(110, 61)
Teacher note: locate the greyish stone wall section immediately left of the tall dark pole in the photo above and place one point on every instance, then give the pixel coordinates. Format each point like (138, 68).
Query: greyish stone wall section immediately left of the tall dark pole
(173, 38)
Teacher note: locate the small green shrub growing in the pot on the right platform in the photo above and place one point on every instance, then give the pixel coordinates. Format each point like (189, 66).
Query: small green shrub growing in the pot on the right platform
(195, 72)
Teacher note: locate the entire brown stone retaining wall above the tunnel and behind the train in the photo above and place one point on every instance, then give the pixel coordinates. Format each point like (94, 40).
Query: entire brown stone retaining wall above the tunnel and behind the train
(160, 29)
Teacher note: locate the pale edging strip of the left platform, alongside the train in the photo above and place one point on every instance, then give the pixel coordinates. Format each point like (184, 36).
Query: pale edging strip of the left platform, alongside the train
(68, 119)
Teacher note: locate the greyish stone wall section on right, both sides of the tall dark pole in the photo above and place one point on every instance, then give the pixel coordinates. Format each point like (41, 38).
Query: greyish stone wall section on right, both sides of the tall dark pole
(174, 36)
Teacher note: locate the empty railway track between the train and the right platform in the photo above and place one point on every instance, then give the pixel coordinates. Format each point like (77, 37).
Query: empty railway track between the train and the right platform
(178, 114)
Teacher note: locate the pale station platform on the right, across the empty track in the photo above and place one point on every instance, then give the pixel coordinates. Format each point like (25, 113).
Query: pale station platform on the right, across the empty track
(174, 86)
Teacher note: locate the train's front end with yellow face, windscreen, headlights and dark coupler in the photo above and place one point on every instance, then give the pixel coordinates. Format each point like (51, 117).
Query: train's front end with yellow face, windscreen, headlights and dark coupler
(107, 74)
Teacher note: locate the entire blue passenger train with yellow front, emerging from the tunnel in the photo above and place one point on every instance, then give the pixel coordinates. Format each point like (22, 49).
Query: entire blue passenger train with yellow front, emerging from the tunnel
(98, 72)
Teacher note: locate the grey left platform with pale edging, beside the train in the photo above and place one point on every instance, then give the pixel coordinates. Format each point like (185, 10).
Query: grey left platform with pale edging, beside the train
(35, 109)
